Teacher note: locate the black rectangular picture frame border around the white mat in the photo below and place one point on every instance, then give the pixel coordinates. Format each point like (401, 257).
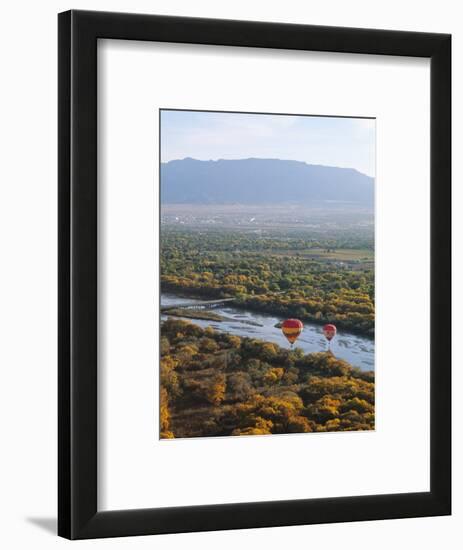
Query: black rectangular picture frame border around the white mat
(78, 33)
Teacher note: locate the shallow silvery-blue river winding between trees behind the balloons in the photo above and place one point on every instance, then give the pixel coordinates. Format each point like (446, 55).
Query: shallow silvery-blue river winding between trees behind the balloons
(356, 350)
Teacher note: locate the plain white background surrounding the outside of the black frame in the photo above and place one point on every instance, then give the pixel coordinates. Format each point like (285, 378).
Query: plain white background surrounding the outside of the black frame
(28, 270)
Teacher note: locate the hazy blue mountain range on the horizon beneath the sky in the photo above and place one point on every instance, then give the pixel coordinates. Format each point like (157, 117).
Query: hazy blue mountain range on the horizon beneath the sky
(262, 181)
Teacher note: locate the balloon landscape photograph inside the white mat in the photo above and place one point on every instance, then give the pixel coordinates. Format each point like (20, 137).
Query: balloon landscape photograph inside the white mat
(267, 270)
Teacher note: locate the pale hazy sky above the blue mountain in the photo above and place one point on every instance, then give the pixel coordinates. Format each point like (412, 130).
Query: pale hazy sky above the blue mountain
(344, 142)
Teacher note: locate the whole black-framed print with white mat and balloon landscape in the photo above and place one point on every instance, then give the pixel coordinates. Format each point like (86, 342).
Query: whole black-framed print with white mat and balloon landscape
(254, 274)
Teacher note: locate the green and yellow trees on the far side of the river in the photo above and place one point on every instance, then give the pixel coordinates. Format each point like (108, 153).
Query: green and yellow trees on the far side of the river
(278, 274)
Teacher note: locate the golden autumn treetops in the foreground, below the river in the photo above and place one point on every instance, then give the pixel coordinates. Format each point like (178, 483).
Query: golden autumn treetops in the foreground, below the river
(218, 384)
